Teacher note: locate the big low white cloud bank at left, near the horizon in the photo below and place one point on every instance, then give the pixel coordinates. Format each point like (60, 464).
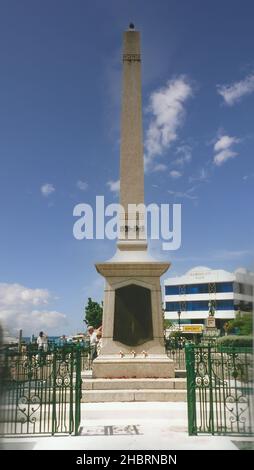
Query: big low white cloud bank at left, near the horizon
(17, 310)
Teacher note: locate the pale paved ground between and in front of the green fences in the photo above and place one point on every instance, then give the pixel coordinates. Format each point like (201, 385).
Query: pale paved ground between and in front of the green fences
(131, 426)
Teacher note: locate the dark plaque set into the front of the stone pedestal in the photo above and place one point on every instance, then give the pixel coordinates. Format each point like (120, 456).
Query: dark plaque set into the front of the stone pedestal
(133, 315)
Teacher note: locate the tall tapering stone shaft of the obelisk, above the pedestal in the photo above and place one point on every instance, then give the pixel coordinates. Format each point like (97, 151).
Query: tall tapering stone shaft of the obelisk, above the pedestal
(132, 160)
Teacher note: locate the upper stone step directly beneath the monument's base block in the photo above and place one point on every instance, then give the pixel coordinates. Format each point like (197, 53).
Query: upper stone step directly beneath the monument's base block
(133, 384)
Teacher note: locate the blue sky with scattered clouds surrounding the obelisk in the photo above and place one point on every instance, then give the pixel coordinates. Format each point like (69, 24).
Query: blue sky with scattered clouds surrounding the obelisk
(60, 88)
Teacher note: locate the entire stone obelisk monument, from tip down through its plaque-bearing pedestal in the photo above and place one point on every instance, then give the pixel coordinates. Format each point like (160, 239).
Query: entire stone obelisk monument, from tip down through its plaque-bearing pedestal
(132, 339)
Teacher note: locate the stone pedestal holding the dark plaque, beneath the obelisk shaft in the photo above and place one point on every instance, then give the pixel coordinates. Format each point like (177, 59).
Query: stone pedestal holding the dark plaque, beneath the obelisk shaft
(133, 338)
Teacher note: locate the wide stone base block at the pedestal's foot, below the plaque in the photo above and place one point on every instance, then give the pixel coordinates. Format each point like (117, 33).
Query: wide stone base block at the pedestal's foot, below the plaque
(159, 366)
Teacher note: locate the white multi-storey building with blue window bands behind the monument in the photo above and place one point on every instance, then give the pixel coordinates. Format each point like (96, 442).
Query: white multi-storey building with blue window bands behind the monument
(190, 296)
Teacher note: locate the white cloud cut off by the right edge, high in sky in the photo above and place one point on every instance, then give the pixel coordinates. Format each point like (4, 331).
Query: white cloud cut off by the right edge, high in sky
(233, 93)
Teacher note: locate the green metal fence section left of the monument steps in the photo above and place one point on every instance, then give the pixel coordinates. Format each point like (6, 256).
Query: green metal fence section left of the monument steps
(40, 392)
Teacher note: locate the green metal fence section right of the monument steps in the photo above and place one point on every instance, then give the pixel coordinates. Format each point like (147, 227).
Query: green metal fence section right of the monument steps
(219, 390)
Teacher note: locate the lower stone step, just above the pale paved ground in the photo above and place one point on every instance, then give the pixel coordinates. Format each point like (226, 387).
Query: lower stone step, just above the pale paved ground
(95, 396)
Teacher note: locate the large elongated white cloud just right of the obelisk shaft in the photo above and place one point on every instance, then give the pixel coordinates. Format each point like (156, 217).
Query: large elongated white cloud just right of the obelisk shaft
(166, 106)
